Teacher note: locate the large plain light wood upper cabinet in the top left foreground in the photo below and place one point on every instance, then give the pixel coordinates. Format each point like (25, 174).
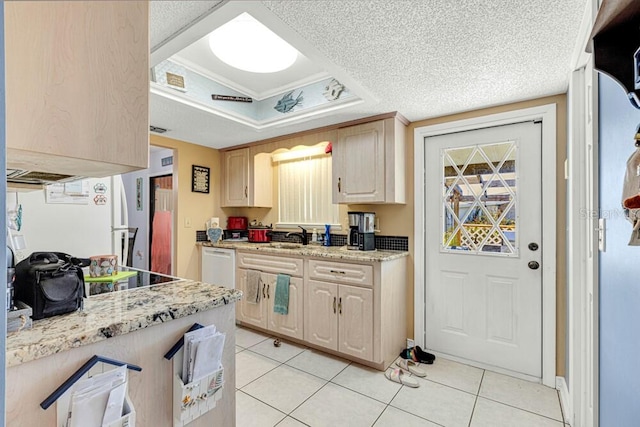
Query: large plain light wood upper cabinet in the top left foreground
(77, 86)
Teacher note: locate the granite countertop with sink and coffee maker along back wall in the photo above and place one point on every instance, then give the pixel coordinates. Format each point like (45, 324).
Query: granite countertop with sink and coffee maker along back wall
(333, 252)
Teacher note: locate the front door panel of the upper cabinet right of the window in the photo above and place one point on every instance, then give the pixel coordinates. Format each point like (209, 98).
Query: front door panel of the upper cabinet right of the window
(358, 164)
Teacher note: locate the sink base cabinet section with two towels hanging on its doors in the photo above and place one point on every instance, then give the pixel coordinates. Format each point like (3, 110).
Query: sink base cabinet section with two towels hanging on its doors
(261, 314)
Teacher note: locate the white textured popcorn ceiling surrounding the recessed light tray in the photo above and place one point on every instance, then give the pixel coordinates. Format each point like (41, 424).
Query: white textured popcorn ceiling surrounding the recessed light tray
(423, 58)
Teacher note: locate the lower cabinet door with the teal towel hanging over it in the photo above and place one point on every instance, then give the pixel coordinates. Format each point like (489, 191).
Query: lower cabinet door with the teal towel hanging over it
(290, 324)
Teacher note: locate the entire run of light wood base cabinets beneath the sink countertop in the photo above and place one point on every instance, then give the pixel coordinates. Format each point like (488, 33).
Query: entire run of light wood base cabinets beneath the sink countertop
(351, 309)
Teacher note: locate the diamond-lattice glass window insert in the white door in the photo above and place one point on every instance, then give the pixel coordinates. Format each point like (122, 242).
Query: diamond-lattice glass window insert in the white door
(479, 203)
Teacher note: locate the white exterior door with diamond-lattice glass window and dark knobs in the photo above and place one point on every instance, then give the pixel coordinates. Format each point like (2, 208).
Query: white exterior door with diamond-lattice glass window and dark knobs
(483, 246)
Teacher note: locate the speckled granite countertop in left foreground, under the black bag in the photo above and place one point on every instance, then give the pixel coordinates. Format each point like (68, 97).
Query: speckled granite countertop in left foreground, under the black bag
(112, 314)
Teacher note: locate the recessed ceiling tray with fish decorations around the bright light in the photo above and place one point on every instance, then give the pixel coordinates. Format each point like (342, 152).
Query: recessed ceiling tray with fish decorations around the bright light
(312, 87)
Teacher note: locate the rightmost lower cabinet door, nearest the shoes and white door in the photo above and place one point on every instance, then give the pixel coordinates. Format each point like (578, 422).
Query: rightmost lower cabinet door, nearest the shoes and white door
(355, 313)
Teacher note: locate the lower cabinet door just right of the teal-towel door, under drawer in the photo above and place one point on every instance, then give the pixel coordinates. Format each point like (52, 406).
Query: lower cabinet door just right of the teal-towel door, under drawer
(320, 316)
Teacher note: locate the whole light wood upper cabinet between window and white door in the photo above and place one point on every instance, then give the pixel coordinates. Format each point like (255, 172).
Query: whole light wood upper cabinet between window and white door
(368, 163)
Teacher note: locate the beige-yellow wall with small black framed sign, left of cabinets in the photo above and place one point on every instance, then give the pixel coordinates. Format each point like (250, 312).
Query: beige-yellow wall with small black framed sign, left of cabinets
(197, 207)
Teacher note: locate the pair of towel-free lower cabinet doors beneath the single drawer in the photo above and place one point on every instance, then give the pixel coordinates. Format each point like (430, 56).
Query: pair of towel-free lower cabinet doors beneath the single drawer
(340, 317)
